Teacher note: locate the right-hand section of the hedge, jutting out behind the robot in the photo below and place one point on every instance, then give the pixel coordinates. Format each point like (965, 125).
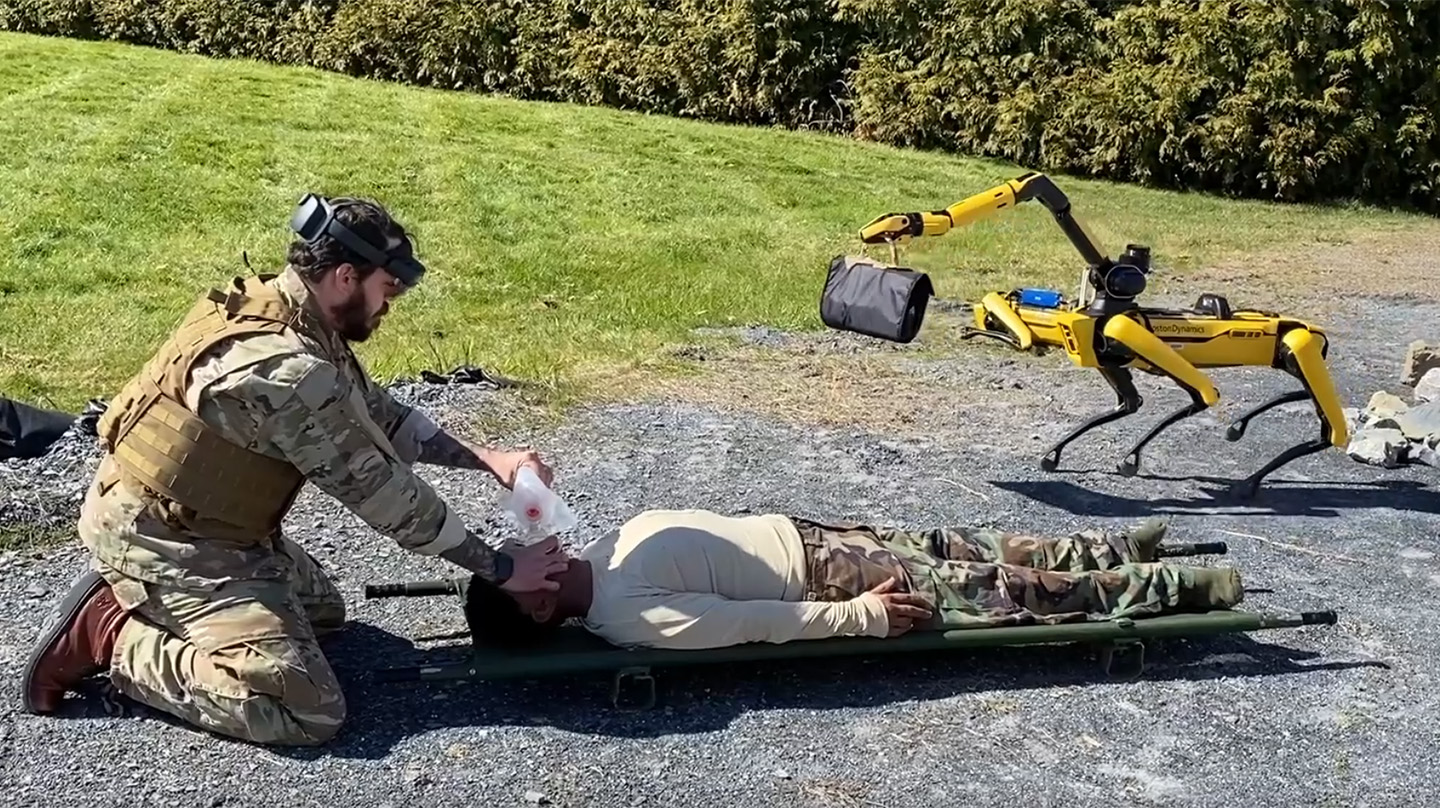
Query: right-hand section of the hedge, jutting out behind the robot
(1278, 99)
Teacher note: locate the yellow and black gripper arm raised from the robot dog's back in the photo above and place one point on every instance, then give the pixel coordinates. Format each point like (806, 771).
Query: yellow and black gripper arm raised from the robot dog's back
(899, 228)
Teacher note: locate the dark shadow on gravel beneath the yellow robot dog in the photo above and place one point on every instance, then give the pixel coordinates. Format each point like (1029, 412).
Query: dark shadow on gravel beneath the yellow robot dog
(1275, 499)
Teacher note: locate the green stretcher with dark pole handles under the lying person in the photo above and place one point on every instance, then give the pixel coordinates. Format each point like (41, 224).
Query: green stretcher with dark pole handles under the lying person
(578, 652)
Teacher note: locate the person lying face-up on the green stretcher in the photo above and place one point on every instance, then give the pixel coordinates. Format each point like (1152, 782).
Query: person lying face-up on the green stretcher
(701, 580)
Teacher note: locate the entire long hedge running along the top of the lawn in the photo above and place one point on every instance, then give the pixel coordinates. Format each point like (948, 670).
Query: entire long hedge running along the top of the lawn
(1297, 100)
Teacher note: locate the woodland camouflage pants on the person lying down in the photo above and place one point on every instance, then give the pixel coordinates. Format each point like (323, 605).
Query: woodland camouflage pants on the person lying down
(990, 578)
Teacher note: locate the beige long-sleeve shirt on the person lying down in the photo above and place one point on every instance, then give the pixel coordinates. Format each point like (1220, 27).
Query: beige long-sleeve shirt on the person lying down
(699, 580)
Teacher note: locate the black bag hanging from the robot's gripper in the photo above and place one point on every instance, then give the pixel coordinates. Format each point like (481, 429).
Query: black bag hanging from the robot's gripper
(876, 300)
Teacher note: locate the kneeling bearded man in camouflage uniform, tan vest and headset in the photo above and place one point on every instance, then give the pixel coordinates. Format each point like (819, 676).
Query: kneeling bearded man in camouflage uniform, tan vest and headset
(198, 606)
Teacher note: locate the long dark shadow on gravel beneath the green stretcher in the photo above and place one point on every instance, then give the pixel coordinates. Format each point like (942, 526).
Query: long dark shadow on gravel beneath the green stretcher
(702, 701)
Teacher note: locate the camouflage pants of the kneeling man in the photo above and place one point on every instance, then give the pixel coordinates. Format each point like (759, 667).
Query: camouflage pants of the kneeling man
(241, 660)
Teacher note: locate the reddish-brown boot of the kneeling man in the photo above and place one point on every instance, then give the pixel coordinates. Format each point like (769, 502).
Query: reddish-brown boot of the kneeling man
(76, 645)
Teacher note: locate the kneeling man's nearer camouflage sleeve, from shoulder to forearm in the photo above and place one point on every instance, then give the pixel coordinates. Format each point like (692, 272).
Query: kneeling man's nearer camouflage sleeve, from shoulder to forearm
(307, 413)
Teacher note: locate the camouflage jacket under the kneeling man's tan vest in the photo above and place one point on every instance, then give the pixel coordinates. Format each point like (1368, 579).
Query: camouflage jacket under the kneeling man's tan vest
(300, 397)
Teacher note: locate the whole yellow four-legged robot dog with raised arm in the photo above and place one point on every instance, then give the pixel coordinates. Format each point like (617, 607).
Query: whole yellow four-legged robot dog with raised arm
(1111, 332)
